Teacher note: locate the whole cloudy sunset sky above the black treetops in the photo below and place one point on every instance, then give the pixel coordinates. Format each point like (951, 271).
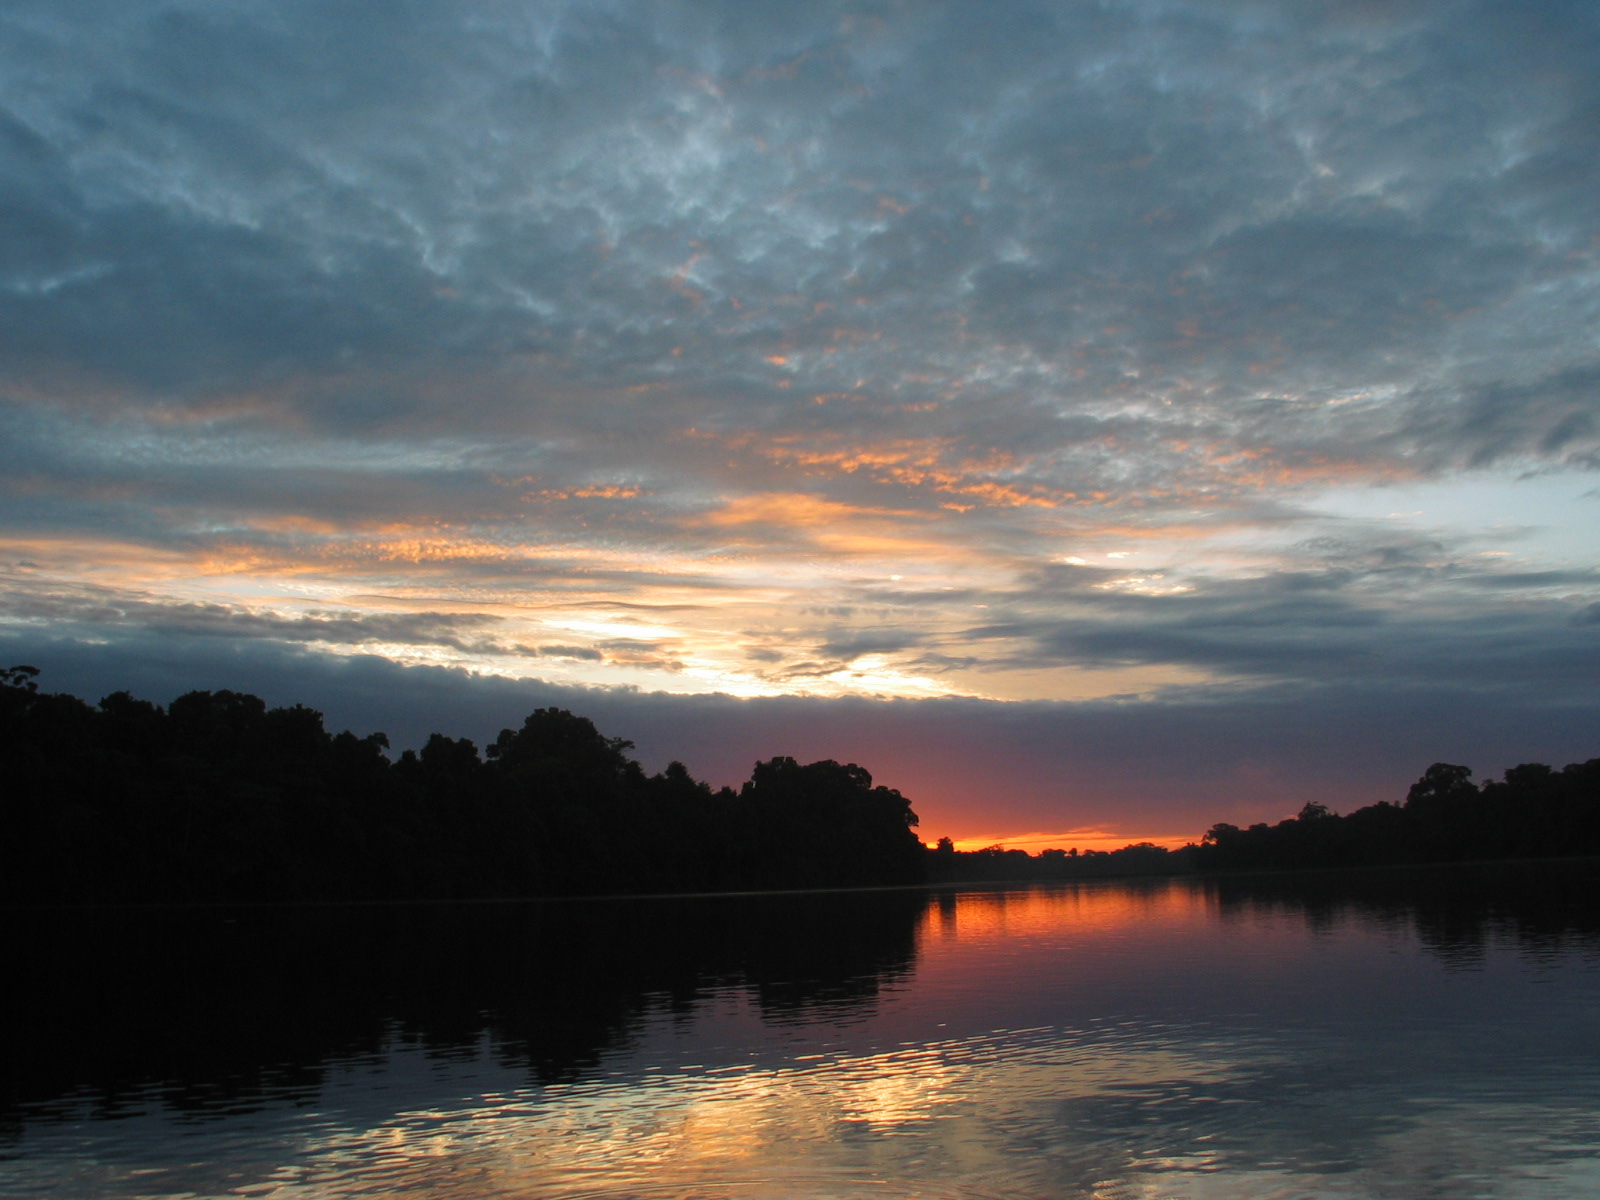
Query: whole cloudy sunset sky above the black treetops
(1098, 420)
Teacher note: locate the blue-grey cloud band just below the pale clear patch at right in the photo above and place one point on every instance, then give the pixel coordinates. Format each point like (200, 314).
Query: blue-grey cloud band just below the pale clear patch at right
(1330, 622)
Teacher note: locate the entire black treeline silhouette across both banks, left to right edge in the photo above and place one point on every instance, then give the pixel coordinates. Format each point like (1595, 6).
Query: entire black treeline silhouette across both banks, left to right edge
(217, 798)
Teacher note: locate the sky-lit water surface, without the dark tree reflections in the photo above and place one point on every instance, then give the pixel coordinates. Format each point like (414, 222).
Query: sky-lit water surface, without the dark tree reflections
(1100, 1041)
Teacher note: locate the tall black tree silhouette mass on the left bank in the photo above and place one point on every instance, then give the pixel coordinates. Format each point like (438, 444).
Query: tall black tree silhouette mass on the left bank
(217, 798)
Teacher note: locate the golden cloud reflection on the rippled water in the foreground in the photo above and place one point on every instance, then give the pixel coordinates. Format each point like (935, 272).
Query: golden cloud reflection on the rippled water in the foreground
(836, 1124)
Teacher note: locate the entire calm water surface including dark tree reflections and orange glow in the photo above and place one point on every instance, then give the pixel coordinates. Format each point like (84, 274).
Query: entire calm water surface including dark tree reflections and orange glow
(1353, 1036)
